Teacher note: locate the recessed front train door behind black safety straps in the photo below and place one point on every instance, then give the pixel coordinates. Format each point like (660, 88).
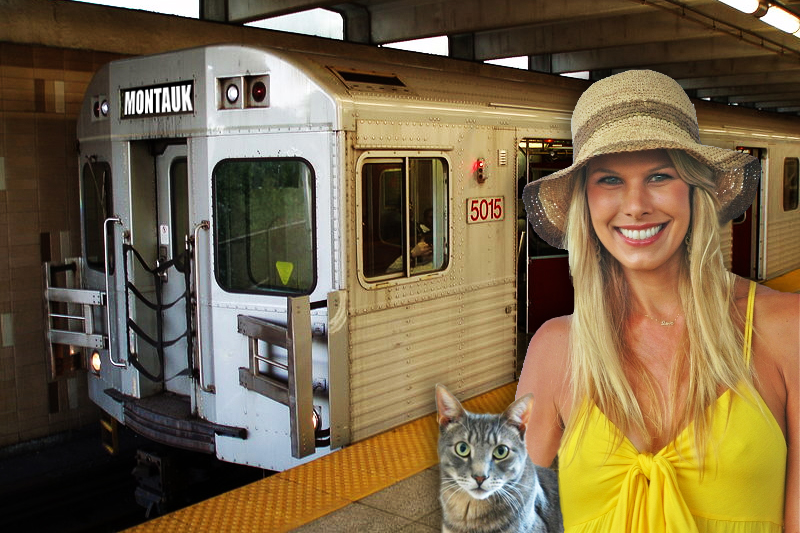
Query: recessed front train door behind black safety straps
(157, 268)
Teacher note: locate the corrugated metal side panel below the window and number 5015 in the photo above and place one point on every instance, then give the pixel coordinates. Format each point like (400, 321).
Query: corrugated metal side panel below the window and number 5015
(465, 340)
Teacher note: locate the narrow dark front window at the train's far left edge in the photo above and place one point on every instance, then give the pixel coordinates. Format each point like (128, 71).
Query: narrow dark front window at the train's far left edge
(96, 193)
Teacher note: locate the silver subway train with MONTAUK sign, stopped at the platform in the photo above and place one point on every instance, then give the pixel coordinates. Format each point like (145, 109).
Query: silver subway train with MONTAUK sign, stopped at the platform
(283, 251)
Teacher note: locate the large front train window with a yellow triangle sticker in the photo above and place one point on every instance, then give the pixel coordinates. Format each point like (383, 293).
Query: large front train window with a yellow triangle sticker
(263, 213)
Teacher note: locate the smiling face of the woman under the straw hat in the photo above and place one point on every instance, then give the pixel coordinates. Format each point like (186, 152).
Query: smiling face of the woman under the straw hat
(639, 207)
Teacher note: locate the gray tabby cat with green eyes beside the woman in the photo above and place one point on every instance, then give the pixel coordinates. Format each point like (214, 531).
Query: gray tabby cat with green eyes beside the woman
(489, 484)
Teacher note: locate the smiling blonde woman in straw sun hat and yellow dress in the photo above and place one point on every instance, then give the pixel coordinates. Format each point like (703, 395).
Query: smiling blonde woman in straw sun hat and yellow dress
(661, 418)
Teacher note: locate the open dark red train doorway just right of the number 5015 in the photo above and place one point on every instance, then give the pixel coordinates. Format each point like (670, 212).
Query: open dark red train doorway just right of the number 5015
(547, 285)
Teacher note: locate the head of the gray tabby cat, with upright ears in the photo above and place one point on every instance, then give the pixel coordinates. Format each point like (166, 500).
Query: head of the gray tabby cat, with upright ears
(481, 454)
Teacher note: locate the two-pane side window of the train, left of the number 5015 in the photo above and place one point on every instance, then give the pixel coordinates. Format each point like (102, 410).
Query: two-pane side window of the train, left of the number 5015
(404, 217)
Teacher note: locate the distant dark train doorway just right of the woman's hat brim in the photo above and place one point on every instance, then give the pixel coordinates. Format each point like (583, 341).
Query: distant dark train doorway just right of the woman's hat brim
(745, 249)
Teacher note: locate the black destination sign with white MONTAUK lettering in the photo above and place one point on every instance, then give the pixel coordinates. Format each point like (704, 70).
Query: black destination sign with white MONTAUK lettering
(168, 99)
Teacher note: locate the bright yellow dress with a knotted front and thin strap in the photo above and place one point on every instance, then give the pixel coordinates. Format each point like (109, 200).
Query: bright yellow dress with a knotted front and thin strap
(605, 488)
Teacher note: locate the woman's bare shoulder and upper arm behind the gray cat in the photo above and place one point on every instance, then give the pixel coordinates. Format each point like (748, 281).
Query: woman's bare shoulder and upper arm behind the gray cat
(545, 375)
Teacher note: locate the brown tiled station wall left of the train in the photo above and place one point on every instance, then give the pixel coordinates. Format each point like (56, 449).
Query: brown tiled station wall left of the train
(41, 90)
